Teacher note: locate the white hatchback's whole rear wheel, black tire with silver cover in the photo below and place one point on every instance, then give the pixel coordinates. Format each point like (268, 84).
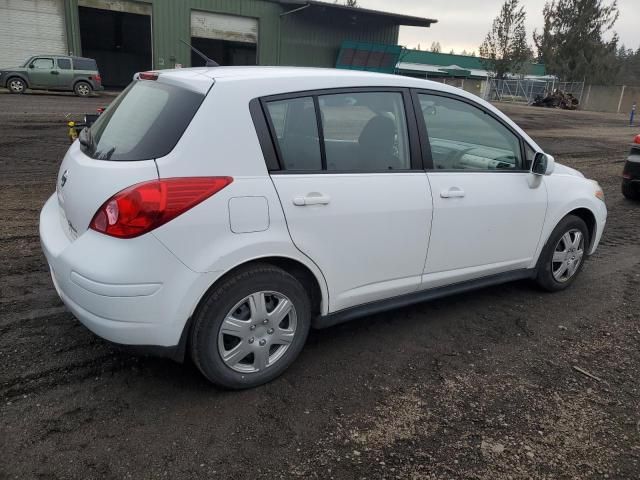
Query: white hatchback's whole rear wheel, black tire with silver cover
(257, 349)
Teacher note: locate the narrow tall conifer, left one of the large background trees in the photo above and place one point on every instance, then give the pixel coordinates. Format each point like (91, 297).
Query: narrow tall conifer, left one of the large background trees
(505, 48)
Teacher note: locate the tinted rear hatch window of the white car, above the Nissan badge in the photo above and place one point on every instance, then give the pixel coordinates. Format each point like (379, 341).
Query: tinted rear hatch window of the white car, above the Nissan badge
(144, 122)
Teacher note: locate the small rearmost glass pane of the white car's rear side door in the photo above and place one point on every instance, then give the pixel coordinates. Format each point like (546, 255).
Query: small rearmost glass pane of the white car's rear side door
(296, 129)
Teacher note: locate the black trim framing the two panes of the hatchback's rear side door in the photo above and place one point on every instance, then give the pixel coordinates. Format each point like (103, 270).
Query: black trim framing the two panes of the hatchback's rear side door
(272, 148)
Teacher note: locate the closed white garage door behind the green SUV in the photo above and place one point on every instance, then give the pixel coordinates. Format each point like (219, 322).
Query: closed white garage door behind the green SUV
(30, 27)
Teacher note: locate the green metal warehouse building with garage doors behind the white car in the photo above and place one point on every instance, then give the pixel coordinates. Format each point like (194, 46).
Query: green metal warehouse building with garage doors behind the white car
(126, 36)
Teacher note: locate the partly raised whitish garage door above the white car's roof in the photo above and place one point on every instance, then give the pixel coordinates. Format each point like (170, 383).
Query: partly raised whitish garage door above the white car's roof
(217, 26)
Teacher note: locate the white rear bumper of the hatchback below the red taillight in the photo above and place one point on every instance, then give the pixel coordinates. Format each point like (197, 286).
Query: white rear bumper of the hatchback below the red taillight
(132, 292)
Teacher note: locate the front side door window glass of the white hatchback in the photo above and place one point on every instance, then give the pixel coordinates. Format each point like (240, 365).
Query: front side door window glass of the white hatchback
(465, 137)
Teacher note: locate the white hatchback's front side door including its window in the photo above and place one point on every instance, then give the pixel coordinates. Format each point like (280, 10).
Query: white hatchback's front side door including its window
(488, 209)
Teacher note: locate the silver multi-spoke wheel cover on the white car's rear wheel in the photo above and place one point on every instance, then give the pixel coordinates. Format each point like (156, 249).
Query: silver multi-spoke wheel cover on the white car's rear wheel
(257, 332)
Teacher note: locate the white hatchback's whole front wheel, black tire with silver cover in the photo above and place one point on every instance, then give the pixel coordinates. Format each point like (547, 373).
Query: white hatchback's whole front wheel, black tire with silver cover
(559, 274)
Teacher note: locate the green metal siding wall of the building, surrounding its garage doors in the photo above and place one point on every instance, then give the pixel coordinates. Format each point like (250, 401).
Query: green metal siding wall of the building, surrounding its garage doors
(298, 38)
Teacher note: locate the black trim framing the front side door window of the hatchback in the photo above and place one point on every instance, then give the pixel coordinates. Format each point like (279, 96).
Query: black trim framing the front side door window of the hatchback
(424, 133)
